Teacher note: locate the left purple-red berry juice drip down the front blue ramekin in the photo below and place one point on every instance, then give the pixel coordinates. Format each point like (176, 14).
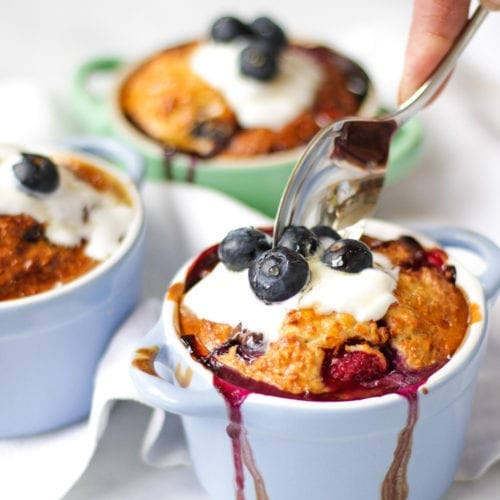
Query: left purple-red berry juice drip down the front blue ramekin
(242, 451)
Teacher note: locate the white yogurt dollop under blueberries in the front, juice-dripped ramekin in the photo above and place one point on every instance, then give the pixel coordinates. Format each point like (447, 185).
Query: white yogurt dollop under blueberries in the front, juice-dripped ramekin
(225, 296)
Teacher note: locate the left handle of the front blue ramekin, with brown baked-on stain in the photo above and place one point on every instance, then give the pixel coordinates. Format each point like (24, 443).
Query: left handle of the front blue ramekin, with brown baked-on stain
(161, 392)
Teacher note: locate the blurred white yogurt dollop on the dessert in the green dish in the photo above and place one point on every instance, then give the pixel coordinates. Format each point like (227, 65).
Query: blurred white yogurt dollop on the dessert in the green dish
(259, 104)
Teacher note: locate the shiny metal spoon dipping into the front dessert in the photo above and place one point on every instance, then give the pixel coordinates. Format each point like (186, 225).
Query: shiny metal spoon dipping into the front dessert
(338, 179)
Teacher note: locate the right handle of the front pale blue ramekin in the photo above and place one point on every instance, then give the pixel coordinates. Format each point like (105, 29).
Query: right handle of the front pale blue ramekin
(479, 245)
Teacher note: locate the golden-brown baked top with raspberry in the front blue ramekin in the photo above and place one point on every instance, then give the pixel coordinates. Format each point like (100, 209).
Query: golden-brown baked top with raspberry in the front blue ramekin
(324, 353)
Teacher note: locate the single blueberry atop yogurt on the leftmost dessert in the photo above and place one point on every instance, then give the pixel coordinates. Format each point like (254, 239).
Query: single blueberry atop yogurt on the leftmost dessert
(36, 173)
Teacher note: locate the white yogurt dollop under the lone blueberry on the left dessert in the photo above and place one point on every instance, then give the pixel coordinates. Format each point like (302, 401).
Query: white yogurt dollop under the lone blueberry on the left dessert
(75, 211)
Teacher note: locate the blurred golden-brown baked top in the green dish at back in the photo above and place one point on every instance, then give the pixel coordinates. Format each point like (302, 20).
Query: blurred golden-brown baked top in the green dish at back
(171, 104)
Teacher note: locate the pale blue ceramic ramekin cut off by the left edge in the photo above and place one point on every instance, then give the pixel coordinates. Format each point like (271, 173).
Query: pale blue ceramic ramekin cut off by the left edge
(51, 342)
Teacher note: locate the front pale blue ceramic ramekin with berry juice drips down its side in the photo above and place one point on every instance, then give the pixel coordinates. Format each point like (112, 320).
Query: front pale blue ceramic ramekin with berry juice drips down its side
(382, 447)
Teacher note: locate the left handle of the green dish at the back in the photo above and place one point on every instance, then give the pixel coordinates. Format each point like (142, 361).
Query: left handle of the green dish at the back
(91, 108)
